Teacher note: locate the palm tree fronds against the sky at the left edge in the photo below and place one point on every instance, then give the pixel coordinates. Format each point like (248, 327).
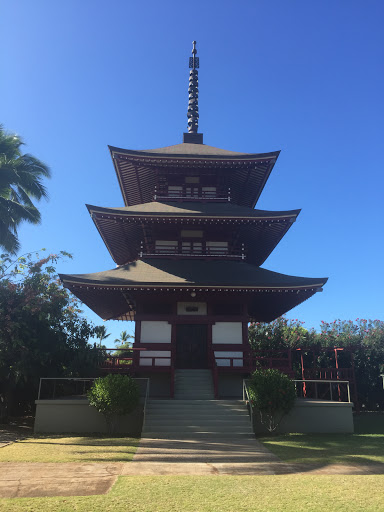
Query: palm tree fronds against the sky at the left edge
(20, 181)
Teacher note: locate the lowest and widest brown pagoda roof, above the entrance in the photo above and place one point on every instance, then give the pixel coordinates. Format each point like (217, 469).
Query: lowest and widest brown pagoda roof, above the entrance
(114, 294)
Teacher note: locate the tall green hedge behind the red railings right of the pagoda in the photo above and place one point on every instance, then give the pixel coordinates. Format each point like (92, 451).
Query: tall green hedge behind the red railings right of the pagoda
(364, 337)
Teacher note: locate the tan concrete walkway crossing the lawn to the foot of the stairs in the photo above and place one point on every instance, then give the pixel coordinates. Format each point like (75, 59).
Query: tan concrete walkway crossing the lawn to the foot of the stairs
(195, 455)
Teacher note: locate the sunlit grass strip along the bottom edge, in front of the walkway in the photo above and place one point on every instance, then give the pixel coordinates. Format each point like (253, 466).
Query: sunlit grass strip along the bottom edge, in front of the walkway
(288, 493)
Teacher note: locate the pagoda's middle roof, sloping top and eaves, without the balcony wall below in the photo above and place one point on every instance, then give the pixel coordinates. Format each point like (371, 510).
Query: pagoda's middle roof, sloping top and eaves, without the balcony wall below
(120, 229)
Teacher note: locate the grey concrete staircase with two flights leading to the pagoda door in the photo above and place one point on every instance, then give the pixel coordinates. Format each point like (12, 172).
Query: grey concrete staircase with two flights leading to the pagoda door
(194, 413)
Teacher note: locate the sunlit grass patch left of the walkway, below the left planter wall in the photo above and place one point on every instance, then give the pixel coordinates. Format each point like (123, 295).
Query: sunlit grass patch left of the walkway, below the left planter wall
(60, 448)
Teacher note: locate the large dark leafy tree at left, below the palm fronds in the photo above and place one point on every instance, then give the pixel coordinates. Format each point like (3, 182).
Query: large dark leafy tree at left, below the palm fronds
(42, 333)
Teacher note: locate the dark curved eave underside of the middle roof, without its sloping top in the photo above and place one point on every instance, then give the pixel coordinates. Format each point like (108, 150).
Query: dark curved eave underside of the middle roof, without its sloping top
(122, 231)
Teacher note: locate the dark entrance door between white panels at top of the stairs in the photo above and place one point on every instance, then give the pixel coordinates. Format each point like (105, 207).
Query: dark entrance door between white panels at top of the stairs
(191, 346)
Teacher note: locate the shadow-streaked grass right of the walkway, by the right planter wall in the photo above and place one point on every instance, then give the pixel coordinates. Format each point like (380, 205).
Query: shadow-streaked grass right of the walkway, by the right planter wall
(365, 446)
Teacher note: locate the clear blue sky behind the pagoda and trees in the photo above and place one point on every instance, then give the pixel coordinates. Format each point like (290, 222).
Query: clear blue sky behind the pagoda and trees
(305, 77)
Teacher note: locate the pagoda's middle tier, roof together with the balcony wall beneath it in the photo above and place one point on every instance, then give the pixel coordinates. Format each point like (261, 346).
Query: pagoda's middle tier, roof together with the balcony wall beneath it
(190, 229)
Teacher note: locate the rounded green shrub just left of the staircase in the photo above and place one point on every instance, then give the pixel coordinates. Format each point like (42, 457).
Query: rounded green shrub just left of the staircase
(114, 396)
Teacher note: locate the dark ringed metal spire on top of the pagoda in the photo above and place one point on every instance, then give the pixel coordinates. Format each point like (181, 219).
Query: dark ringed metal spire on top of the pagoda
(193, 104)
